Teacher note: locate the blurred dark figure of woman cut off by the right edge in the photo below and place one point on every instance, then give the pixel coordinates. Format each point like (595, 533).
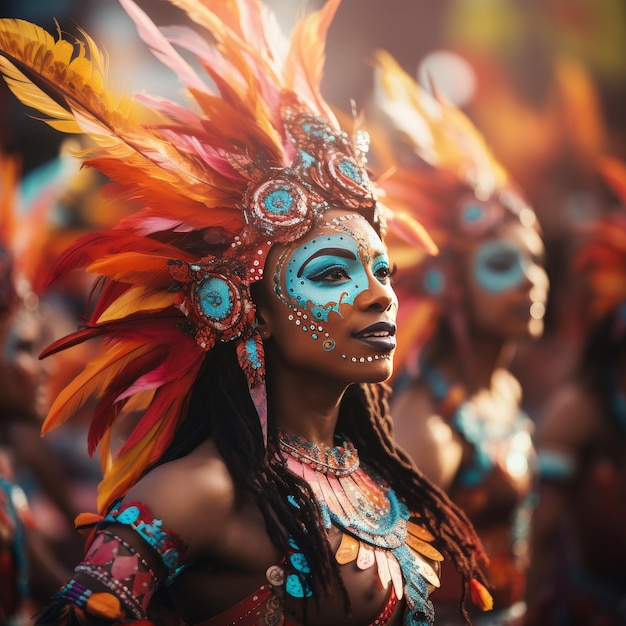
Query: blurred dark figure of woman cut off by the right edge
(579, 526)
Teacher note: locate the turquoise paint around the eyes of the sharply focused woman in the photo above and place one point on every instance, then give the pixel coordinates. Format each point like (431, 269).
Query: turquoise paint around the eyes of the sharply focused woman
(328, 271)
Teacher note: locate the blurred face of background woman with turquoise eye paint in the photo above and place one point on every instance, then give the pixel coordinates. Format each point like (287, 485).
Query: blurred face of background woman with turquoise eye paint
(507, 284)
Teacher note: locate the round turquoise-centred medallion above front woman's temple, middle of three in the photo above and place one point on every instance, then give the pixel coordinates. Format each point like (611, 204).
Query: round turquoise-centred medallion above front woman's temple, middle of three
(279, 207)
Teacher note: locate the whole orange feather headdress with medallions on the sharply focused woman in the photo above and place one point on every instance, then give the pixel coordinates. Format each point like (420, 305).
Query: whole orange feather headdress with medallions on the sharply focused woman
(253, 162)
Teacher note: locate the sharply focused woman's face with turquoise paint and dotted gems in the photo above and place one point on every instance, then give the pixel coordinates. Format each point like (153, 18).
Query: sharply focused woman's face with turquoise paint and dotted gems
(327, 304)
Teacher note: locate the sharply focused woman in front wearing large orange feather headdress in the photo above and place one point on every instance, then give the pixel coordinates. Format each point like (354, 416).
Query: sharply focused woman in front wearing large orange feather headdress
(240, 307)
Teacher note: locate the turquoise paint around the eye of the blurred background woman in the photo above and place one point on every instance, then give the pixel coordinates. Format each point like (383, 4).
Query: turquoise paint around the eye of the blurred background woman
(500, 265)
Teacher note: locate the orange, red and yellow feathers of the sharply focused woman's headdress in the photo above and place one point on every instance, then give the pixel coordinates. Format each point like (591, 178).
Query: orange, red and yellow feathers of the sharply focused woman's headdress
(188, 167)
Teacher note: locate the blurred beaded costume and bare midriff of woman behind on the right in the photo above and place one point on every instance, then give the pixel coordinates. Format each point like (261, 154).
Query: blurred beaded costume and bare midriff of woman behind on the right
(494, 486)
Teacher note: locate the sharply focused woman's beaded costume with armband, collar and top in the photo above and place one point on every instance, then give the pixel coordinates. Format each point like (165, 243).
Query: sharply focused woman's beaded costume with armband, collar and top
(386, 537)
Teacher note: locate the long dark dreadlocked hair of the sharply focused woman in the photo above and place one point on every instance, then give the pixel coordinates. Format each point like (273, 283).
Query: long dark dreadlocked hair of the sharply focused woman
(221, 409)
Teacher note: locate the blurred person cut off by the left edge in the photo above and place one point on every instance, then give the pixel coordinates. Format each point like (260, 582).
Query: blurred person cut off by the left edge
(28, 566)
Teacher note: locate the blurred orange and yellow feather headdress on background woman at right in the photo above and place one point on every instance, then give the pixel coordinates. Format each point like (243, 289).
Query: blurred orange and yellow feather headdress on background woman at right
(438, 168)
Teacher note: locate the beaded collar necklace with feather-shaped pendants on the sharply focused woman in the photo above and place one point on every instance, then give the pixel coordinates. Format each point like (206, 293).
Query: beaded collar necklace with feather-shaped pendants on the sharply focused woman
(377, 528)
